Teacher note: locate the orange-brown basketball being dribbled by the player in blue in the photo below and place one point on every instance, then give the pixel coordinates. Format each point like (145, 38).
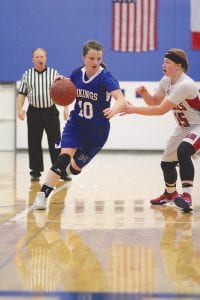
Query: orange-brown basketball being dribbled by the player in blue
(63, 91)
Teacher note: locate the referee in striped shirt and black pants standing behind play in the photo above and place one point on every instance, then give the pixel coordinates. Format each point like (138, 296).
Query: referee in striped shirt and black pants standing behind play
(42, 113)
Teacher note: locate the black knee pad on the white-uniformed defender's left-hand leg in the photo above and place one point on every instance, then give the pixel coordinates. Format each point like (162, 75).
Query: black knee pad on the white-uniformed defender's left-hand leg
(169, 171)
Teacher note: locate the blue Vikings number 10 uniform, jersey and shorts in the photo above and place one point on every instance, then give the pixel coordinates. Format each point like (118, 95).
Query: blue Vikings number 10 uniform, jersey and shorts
(87, 128)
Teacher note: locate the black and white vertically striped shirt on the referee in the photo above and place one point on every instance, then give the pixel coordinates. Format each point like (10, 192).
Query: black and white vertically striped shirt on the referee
(35, 85)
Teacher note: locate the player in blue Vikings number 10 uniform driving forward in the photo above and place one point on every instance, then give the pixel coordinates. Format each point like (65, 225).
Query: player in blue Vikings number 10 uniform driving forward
(88, 127)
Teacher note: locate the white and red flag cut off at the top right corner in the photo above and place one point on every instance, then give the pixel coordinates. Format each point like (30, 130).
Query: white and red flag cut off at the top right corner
(195, 23)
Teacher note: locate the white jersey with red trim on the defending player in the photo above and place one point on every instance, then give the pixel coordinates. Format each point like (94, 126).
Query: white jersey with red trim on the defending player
(185, 94)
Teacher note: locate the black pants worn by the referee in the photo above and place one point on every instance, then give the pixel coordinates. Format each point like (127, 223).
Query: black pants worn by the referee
(38, 121)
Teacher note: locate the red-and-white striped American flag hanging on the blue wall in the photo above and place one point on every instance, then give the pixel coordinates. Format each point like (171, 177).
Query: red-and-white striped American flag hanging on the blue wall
(134, 27)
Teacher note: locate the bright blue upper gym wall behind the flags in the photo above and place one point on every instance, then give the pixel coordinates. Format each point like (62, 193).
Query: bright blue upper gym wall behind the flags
(63, 26)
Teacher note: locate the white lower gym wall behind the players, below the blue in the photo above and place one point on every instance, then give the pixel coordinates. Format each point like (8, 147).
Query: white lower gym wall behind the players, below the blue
(131, 132)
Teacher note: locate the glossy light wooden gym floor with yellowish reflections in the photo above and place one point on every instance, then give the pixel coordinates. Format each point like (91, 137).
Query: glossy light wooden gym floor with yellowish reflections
(99, 237)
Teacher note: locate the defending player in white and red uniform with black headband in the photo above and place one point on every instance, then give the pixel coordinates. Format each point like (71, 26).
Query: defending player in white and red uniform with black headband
(177, 92)
